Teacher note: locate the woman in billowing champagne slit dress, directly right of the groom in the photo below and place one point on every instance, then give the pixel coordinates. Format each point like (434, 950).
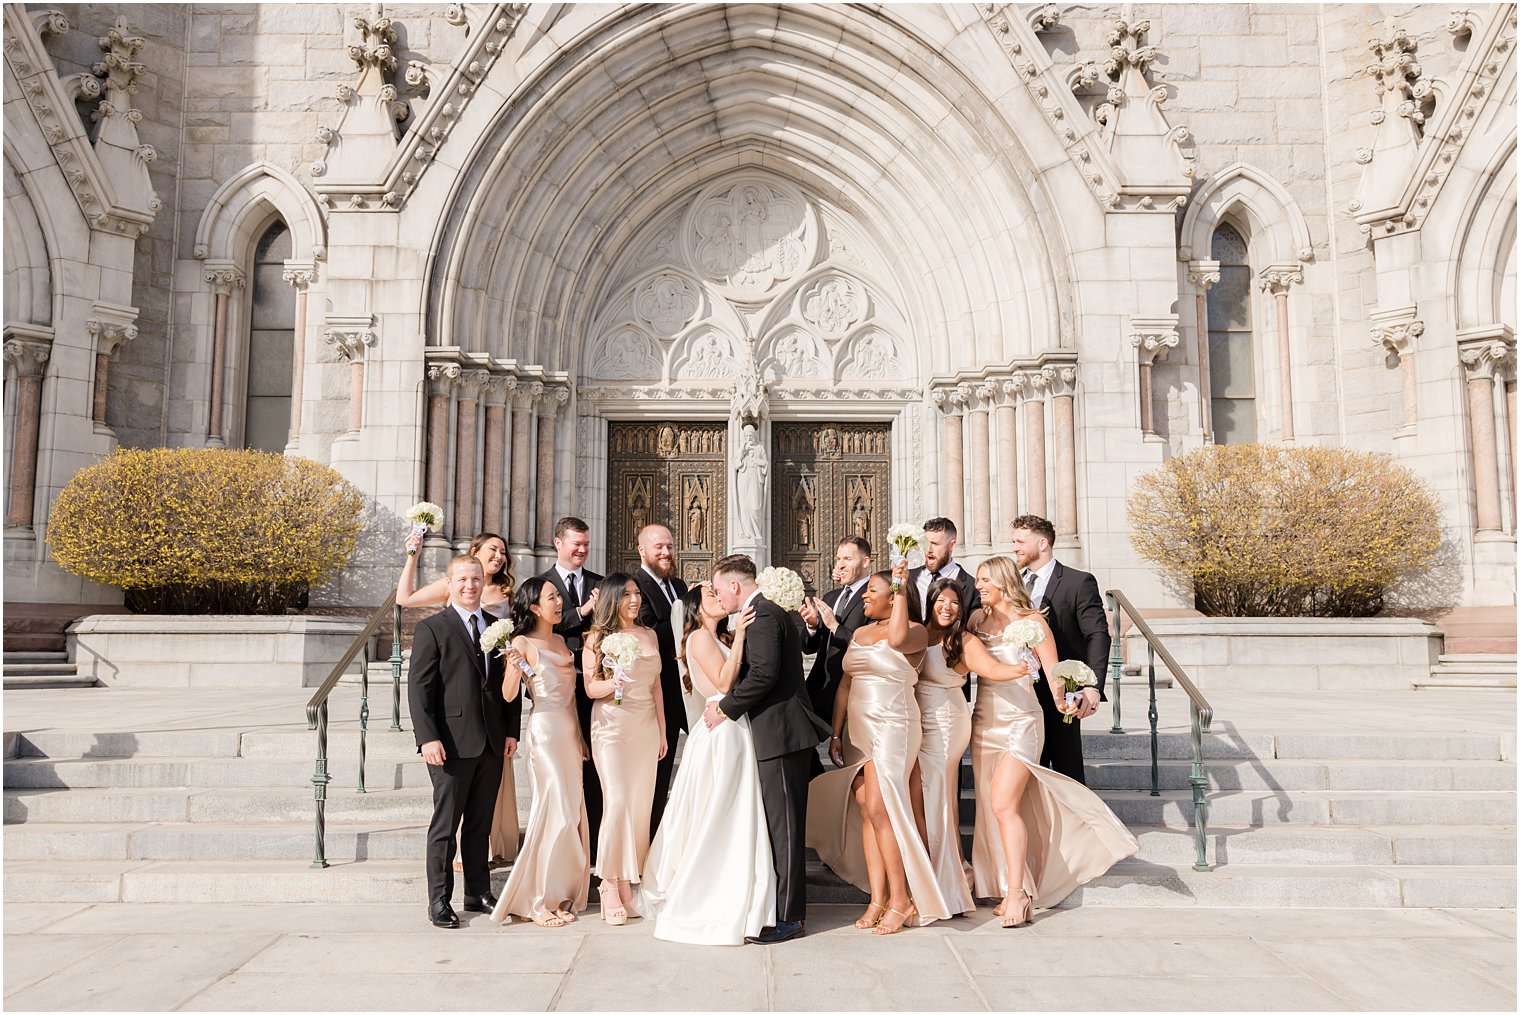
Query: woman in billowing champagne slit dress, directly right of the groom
(861, 817)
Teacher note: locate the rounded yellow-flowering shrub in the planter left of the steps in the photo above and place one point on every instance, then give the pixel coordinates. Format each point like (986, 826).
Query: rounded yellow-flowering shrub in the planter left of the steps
(206, 531)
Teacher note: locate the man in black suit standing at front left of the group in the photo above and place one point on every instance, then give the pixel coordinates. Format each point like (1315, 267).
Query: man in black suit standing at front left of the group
(464, 732)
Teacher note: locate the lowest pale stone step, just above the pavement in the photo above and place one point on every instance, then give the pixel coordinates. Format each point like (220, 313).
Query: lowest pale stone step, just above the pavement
(1130, 884)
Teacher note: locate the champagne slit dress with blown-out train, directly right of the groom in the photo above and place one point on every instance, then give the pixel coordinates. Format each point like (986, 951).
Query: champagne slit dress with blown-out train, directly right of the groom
(882, 726)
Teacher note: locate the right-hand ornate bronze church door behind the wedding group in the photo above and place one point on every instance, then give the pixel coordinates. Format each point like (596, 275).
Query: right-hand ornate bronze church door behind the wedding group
(829, 481)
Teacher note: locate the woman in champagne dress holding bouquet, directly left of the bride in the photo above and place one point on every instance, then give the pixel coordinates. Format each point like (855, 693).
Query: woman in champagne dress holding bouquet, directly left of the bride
(627, 744)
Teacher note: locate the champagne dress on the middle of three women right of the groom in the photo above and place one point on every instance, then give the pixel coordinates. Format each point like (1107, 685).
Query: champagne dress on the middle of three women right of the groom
(948, 732)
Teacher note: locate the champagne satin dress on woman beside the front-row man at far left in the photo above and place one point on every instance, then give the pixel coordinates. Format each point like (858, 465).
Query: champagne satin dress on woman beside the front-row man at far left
(554, 868)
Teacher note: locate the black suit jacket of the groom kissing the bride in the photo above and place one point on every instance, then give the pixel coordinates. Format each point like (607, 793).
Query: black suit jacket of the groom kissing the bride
(770, 686)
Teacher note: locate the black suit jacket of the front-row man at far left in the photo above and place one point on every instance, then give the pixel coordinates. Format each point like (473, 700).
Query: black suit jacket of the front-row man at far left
(455, 692)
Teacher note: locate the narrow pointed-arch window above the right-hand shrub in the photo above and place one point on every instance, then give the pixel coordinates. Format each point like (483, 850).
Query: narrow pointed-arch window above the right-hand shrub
(1232, 353)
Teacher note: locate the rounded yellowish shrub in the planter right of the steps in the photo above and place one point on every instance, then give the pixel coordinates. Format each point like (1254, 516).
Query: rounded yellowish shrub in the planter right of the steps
(1261, 531)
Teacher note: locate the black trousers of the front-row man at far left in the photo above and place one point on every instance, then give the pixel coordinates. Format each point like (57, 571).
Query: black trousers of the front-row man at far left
(464, 789)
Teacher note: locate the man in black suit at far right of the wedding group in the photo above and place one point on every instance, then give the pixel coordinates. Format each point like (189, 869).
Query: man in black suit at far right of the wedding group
(1080, 625)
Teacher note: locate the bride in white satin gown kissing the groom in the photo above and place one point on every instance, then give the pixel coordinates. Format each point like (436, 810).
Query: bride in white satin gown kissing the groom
(709, 879)
